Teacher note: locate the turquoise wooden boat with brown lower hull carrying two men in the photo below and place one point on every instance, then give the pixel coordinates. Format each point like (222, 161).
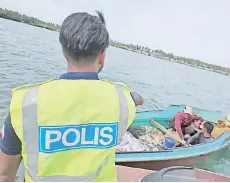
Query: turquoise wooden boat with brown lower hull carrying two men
(180, 156)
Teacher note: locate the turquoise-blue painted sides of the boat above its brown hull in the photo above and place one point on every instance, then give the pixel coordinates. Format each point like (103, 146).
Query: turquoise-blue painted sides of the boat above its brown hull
(163, 117)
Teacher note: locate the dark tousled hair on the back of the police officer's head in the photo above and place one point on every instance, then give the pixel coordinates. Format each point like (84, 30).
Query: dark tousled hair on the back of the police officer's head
(83, 37)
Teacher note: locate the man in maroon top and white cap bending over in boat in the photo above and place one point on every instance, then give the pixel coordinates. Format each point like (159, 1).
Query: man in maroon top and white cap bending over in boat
(183, 120)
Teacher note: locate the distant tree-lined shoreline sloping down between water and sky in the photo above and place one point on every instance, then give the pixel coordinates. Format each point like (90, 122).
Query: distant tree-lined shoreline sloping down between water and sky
(17, 17)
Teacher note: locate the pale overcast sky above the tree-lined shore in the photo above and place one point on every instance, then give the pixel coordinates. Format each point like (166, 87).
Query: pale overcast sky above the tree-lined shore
(192, 28)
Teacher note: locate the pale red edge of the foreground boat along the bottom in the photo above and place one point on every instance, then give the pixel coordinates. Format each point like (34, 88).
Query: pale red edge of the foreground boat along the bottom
(128, 174)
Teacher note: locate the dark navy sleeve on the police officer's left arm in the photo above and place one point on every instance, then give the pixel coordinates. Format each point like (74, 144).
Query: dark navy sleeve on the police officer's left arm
(11, 144)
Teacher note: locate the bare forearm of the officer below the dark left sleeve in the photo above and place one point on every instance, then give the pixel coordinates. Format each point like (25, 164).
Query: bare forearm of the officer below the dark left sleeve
(8, 167)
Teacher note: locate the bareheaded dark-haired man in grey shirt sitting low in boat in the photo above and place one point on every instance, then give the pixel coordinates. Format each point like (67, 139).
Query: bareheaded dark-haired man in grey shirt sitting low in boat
(203, 135)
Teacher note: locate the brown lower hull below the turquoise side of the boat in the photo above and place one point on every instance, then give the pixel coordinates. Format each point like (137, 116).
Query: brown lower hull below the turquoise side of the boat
(159, 164)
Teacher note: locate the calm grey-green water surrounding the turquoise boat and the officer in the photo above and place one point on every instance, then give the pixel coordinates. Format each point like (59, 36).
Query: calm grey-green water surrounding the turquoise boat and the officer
(29, 55)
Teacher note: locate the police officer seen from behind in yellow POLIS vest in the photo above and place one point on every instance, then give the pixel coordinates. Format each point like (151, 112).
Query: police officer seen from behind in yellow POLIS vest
(67, 129)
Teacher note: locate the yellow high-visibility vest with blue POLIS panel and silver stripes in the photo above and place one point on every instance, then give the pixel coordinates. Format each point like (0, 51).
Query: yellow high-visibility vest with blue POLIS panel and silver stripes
(69, 128)
